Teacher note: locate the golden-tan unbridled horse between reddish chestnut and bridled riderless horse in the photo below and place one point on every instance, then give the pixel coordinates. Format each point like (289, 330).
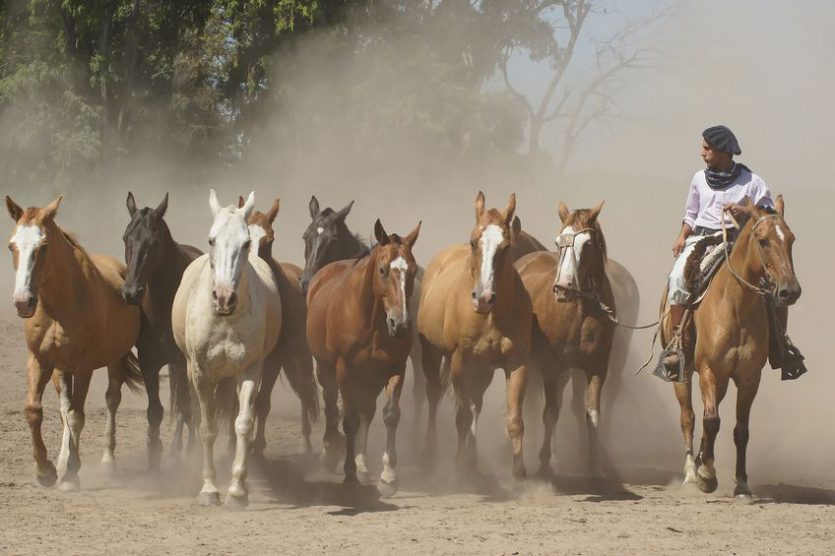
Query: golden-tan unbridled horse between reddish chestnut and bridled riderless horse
(476, 315)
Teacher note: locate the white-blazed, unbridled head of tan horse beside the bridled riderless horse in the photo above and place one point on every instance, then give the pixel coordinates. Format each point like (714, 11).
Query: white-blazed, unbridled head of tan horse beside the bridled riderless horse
(490, 245)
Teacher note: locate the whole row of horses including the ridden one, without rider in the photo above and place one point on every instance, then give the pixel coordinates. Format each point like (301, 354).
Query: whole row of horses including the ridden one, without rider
(228, 321)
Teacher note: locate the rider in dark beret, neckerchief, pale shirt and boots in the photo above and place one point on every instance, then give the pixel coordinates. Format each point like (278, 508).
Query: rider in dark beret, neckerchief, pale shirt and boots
(721, 187)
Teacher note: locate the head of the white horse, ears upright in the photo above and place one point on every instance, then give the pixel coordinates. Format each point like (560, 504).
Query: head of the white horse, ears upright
(229, 245)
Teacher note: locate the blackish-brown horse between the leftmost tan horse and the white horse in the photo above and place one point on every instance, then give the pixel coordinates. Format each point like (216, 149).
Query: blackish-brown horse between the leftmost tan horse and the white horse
(155, 267)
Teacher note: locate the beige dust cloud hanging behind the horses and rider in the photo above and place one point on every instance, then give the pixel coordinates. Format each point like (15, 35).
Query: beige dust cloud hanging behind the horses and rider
(756, 67)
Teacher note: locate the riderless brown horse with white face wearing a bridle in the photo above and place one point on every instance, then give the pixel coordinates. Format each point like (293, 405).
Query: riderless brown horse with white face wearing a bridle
(571, 329)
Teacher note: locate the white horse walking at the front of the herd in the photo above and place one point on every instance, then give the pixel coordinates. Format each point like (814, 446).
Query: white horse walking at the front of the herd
(226, 321)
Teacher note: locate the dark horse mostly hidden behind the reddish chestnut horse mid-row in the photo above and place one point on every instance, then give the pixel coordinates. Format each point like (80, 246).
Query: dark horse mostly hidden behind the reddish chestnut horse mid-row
(328, 239)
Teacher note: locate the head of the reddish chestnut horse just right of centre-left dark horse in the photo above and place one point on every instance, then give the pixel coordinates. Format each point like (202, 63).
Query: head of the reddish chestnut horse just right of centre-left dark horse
(394, 276)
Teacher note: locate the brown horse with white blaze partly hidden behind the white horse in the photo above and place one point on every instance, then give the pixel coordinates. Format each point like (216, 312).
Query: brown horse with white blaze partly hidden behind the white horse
(291, 352)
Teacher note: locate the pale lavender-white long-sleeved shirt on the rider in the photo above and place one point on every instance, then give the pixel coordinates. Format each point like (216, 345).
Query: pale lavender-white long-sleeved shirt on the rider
(704, 205)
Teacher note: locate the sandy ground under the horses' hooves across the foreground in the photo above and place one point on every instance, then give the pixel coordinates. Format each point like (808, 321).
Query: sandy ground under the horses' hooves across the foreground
(296, 507)
